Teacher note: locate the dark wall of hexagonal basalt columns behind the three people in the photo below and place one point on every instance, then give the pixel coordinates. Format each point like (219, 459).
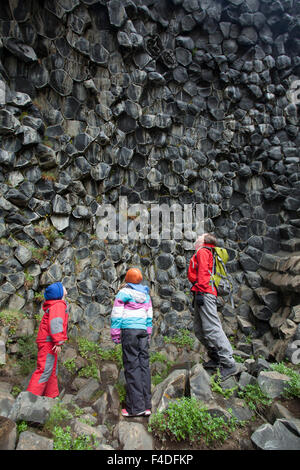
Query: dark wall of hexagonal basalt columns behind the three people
(162, 102)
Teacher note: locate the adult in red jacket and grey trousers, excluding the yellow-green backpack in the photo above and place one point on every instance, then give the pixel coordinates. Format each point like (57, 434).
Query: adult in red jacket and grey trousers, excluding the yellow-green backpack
(207, 325)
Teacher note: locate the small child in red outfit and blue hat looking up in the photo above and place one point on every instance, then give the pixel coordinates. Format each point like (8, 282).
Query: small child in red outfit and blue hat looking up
(51, 336)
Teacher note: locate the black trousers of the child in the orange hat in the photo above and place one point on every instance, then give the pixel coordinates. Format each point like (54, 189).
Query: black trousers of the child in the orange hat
(137, 370)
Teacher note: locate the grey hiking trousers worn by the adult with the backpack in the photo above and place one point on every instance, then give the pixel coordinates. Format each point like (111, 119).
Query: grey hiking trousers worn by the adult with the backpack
(208, 330)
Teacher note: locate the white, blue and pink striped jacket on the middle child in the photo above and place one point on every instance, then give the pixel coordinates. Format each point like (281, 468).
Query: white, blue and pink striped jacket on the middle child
(132, 308)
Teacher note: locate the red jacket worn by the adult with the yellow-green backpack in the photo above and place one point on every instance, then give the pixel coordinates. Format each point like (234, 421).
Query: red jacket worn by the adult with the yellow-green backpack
(205, 267)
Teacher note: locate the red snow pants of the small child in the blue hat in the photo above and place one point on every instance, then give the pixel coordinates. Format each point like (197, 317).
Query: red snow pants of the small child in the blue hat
(43, 381)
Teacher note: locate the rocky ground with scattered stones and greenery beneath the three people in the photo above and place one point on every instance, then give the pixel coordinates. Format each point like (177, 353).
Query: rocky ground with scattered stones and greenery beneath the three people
(92, 393)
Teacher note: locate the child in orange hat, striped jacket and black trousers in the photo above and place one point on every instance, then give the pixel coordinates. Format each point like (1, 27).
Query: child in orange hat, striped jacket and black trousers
(131, 325)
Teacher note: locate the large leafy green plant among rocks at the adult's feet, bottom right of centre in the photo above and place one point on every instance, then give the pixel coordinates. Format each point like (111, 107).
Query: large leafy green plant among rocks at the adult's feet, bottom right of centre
(188, 419)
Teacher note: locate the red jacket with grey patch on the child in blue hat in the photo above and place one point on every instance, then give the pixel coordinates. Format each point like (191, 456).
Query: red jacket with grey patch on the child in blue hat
(54, 324)
